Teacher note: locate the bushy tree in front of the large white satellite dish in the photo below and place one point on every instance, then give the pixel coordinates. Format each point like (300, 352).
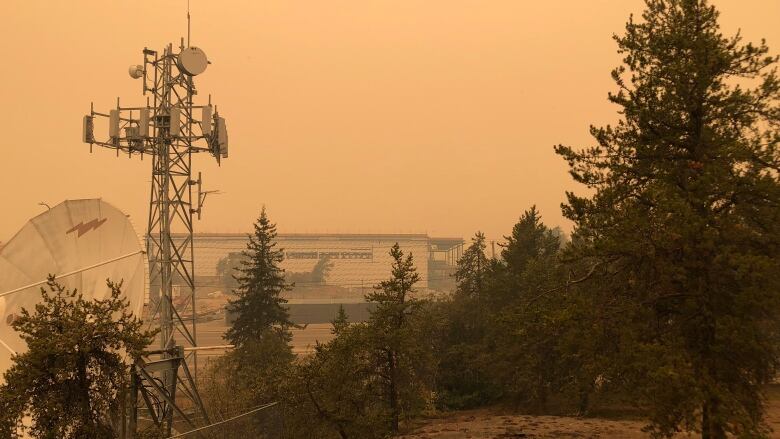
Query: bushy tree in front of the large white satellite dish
(69, 380)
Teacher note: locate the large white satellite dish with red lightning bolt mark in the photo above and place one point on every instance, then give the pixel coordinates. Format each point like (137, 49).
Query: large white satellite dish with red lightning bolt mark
(81, 242)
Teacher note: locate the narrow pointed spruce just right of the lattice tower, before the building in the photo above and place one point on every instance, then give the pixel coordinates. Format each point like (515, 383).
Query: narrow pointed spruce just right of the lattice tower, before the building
(259, 306)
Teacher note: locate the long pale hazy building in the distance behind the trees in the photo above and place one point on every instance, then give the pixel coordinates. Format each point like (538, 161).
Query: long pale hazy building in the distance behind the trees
(357, 261)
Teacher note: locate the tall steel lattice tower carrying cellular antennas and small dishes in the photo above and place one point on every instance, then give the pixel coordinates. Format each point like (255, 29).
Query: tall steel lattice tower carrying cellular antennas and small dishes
(170, 129)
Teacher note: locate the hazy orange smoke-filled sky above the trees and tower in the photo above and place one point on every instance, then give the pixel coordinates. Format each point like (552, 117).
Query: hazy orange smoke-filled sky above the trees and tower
(434, 116)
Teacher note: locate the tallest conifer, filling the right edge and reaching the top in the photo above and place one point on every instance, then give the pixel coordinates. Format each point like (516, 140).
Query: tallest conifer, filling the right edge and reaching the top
(680, 233)
